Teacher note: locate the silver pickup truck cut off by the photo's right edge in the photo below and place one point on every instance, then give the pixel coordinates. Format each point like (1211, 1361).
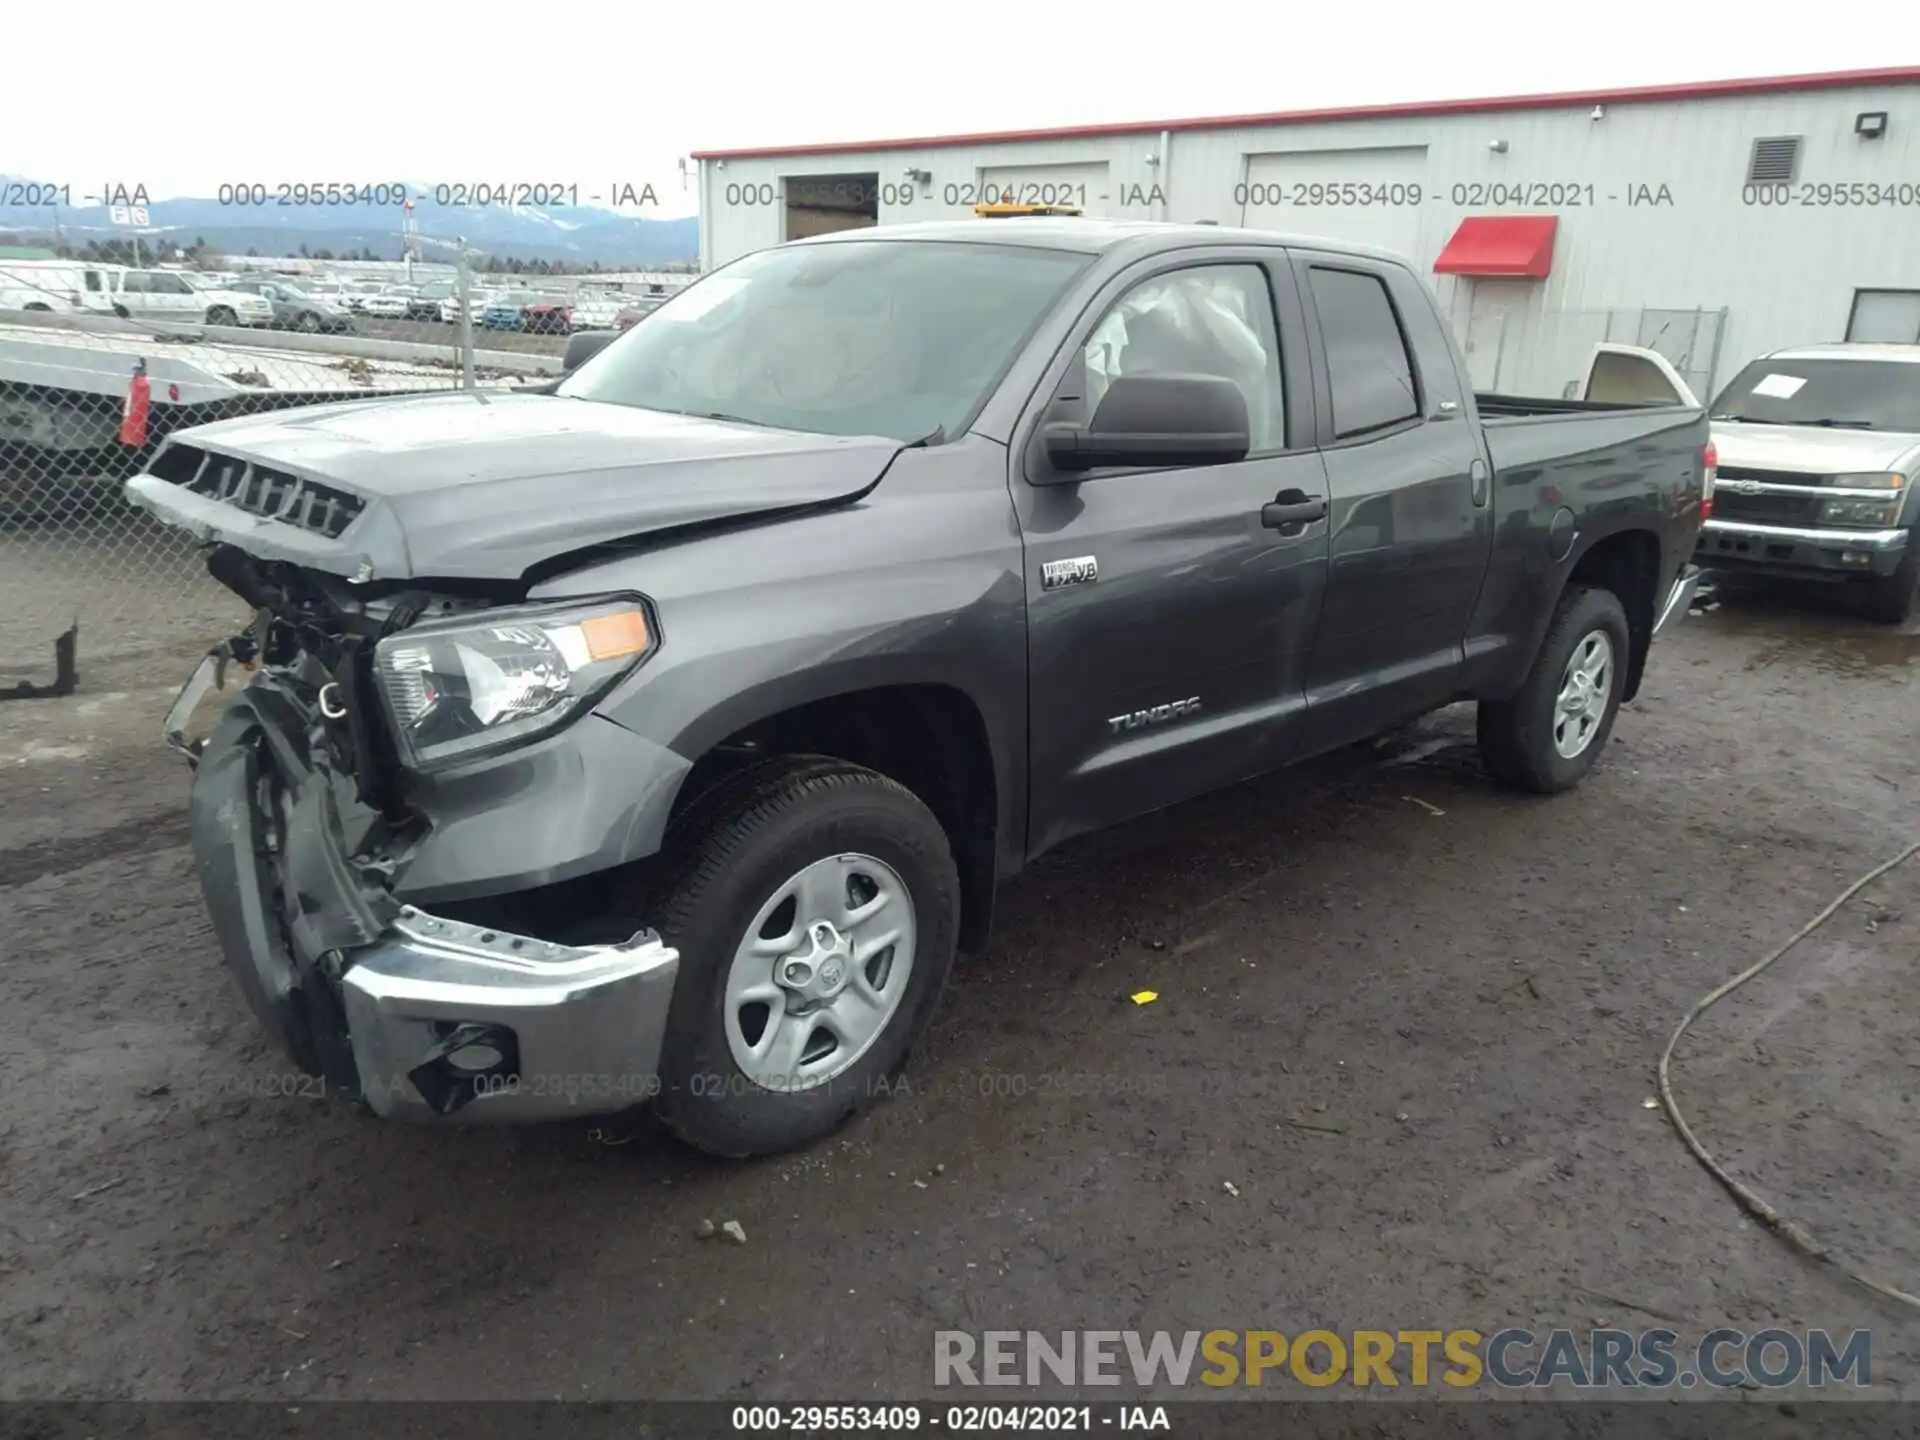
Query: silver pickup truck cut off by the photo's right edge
(1819, 450)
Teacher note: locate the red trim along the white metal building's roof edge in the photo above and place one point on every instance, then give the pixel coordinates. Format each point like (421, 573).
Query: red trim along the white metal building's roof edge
(1416, 108)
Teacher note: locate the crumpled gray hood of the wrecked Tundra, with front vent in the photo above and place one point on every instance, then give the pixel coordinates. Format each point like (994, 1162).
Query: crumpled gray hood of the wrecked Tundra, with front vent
(483, 487)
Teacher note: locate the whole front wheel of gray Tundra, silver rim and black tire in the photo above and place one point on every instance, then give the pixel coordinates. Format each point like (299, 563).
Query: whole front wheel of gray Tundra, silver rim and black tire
(815, 907)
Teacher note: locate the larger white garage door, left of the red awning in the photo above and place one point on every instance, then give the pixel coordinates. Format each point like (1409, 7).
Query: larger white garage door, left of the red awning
(1368, 197)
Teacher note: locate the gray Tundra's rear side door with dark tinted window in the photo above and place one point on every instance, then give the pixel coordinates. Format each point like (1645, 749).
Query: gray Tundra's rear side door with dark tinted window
(1410, 498)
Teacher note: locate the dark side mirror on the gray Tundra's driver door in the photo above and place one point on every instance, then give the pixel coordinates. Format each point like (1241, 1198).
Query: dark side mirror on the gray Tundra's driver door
(1161, 421)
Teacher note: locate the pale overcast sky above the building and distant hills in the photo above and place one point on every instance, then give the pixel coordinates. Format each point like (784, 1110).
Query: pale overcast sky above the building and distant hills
(596, 95)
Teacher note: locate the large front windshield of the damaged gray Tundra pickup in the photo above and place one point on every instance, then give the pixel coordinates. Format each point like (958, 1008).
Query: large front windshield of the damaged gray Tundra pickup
(846, 339)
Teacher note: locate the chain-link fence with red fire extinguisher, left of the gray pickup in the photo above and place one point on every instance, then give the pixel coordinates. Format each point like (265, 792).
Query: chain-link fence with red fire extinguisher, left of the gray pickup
(87, 400)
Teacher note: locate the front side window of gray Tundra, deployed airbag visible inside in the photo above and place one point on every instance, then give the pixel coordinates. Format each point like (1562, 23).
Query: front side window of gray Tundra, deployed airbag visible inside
(1214, 320)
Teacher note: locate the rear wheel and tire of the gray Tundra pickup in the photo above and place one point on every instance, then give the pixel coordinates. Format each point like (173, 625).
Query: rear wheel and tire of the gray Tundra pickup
(1550, 734)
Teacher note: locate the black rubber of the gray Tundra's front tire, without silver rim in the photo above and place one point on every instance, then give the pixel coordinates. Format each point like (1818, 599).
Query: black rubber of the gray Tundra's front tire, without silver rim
(732, 852)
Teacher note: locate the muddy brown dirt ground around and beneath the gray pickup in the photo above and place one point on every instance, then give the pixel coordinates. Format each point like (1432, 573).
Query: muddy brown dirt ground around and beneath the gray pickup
(1412, 1020)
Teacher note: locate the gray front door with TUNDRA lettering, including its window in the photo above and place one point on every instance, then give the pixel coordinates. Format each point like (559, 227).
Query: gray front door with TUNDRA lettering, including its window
(1168, 615)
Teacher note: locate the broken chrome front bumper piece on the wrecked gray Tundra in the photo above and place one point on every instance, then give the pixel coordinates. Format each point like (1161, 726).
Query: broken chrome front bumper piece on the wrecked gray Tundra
(529, 1030)
